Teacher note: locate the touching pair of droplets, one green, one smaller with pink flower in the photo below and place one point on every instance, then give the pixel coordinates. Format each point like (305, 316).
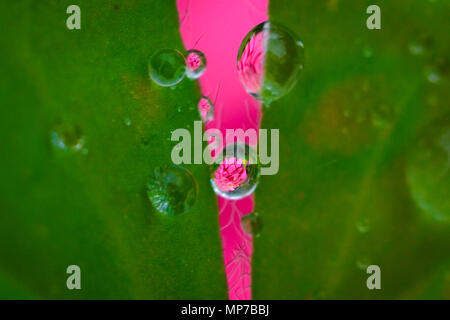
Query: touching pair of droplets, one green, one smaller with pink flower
(167, 67)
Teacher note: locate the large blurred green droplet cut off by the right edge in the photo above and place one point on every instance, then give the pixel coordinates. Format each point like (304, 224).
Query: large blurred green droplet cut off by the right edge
(428, 170)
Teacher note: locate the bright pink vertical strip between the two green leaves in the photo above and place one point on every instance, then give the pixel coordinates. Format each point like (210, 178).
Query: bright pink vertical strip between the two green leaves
(217, 28)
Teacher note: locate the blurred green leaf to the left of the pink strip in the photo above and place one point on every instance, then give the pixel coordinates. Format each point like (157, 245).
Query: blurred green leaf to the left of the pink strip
(60, 208)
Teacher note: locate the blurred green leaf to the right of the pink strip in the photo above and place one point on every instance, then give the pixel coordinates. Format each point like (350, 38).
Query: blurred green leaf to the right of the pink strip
(361, 169)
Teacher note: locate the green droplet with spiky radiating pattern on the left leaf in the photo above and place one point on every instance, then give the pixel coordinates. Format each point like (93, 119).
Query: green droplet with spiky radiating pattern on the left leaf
(172, 190)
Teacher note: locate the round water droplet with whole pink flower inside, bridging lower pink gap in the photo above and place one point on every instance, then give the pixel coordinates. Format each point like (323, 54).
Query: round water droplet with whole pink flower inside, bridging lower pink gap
(235, 173)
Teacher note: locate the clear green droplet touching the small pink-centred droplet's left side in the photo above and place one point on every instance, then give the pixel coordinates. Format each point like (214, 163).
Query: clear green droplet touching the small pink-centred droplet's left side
(167, 67)
